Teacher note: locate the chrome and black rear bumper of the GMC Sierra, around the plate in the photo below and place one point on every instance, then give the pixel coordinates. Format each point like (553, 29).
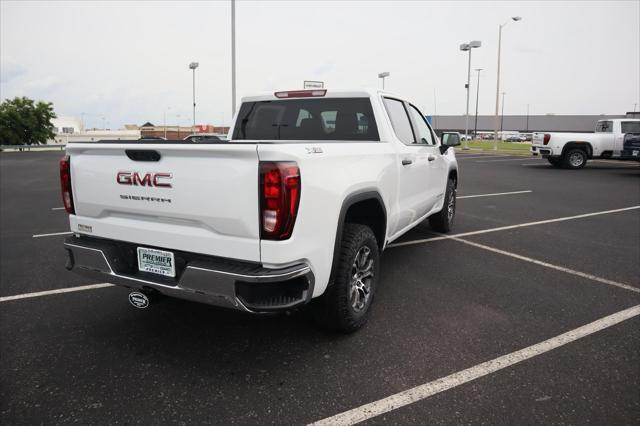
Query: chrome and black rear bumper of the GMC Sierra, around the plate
(215, 281)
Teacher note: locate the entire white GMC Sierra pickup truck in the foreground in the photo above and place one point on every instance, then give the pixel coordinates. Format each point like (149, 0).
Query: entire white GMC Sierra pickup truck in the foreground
(294, 209)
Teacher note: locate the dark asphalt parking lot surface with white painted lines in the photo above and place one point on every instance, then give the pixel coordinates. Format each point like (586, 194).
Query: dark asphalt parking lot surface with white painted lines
(531, 314)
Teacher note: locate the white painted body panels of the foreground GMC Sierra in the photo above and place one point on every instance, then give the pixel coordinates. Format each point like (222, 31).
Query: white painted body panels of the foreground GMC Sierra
(215, 207)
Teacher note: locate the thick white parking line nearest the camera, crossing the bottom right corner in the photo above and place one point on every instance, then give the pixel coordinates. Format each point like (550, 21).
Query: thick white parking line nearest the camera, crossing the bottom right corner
(426, 390)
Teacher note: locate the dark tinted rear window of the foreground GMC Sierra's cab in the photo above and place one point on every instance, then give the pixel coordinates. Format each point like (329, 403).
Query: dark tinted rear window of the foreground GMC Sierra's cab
(325, 119)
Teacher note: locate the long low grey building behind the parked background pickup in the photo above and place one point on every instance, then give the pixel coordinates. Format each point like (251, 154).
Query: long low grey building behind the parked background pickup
(524, 123)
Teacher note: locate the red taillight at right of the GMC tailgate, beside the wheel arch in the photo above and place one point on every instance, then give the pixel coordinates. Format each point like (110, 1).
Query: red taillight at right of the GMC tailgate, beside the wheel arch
(279, 199)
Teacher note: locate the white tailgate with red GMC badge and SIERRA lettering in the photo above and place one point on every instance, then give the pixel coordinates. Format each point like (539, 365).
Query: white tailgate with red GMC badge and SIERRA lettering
(196, 198)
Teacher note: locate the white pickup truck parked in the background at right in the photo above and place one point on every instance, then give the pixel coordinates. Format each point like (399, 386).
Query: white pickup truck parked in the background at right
(572, 150)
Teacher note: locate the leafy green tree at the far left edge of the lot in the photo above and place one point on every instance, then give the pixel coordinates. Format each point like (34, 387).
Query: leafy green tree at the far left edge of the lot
(25, 122)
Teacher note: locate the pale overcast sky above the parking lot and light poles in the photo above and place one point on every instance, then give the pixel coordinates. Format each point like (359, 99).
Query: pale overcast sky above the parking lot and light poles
(128, 61)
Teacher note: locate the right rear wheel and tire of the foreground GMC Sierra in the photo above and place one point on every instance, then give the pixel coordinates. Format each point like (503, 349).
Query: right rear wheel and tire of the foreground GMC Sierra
(346, 304)
